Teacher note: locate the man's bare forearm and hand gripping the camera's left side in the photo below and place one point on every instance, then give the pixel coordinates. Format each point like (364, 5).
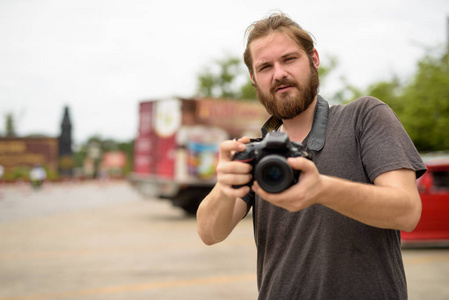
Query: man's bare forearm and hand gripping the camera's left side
(222, 209)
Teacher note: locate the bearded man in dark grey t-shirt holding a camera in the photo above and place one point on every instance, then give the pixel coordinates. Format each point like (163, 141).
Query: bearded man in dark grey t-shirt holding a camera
(336, 233)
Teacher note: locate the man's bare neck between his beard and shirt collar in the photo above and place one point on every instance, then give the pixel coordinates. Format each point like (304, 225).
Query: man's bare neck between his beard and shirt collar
(299, 127)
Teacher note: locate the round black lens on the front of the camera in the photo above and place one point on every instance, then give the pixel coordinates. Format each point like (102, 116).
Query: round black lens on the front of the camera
(274, 174)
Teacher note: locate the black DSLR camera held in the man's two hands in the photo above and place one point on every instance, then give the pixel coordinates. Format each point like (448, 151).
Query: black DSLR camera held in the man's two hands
(268, 156)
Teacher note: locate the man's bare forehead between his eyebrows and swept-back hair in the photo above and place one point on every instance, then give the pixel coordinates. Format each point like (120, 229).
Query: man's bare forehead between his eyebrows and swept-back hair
(273, 45)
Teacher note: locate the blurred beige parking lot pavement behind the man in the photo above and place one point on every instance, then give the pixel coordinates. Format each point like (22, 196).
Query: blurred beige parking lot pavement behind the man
(102, 241)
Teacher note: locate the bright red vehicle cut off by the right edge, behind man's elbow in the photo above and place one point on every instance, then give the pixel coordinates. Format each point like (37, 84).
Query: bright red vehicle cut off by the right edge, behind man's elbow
(433, 186)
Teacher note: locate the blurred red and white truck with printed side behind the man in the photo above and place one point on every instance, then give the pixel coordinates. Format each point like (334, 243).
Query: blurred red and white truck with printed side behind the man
(177, 145)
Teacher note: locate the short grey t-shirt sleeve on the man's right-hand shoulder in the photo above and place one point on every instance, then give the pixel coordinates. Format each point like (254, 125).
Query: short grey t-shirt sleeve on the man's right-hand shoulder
(385, 145)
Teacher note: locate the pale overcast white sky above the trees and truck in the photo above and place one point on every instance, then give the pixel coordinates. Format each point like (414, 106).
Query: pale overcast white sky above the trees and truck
(101, 58)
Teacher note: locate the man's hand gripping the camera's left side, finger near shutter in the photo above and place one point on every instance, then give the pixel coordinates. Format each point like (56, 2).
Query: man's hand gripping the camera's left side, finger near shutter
(231, 172)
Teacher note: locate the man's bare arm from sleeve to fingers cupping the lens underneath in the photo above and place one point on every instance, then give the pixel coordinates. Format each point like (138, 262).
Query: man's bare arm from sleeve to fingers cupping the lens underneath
(393, 201)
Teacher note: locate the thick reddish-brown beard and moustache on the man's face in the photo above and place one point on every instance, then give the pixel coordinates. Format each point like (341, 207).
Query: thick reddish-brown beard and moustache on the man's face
(286, 106)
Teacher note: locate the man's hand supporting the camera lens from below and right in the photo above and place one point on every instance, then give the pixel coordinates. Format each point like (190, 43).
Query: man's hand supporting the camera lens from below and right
(301, 195)
